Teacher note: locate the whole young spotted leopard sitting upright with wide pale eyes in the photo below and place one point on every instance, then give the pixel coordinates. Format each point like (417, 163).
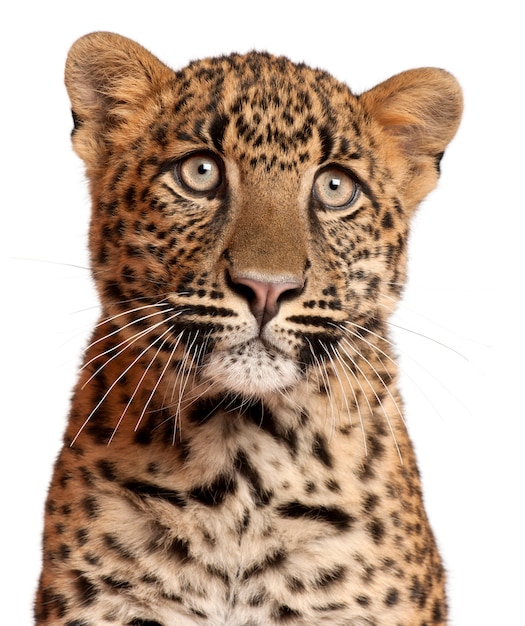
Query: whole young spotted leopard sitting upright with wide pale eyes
(236, 452)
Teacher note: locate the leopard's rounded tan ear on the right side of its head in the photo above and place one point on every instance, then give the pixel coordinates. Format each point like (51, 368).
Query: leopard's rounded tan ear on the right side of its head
(421, 108)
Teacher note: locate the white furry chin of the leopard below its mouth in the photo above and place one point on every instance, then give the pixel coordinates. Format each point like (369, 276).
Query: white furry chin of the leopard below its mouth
(250, 370)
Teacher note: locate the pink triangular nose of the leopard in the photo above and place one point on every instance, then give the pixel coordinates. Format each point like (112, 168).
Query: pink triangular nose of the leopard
(264, 297)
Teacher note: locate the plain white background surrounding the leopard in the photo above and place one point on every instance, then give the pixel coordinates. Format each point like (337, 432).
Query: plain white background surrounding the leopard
(462, 354)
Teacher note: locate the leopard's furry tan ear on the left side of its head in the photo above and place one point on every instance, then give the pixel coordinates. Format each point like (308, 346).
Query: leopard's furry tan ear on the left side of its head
(108, 77)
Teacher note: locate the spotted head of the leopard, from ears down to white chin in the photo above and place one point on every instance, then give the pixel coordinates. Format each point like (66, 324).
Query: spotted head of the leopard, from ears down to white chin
(252, 212)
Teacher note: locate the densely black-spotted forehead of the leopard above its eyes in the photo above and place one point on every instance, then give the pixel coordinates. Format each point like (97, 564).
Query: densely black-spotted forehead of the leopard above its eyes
(265, 111)
